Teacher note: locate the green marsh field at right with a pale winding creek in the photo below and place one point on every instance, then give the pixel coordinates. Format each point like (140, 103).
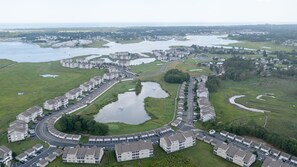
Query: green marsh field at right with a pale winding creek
(281, 119)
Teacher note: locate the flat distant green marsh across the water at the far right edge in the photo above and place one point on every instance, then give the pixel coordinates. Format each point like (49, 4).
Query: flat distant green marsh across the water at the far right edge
(263, 45)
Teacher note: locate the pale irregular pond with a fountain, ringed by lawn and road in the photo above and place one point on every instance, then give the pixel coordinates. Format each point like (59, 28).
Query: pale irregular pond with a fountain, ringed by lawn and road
(129, 108)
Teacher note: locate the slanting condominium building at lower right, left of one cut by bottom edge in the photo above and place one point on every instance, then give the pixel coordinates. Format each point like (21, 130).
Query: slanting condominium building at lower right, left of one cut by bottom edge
(234, 154)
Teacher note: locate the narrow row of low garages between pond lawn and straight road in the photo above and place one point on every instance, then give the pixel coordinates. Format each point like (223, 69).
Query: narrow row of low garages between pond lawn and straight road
(181, 102)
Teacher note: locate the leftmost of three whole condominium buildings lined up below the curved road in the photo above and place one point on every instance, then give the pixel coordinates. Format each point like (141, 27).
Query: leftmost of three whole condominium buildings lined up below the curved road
(90, 155)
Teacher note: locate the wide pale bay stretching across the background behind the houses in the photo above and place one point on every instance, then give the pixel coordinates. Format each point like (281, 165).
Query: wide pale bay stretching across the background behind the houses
(26, 52)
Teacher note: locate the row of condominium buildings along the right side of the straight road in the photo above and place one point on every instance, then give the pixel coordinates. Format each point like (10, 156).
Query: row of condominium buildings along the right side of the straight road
(207, 111)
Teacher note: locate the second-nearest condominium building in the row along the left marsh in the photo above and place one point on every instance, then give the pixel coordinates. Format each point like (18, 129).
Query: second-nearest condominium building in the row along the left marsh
(30, 114)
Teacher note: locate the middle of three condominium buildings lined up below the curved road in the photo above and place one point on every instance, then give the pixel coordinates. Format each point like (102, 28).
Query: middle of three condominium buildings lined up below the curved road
(134, 150)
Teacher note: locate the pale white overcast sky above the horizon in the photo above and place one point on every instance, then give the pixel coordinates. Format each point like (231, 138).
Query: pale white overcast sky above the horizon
(153, 11)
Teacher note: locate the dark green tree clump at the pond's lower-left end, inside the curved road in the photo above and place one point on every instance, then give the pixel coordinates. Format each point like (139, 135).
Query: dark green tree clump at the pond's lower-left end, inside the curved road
(79, 124)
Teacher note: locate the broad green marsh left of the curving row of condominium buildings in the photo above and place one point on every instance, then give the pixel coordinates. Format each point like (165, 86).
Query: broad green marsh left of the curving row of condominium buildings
(25, 77)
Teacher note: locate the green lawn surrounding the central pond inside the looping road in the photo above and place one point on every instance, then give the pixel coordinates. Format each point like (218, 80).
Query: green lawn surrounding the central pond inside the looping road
(160, 110)
